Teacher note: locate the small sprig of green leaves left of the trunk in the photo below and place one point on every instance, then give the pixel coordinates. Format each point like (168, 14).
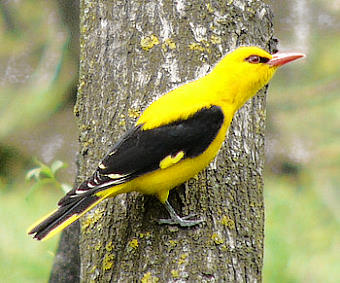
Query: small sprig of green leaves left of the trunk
(46, 175)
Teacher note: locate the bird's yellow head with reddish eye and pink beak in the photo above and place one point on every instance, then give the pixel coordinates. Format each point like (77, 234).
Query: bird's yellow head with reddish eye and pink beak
(248, 69)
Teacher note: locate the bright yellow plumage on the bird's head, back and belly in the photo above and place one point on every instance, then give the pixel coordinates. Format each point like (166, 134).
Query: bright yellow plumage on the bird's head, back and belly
(223, 87)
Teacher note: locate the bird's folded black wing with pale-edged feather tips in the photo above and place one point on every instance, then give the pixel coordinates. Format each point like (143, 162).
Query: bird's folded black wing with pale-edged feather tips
(141, 151)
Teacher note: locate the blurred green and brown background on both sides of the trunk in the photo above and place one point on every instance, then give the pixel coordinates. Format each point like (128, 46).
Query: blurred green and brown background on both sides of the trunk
(38, 78)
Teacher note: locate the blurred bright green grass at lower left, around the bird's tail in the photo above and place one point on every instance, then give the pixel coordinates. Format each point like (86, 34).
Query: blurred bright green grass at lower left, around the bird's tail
(21, 258)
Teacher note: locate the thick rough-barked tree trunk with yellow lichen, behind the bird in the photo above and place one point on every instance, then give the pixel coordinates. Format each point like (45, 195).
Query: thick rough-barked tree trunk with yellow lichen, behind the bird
(131, 52)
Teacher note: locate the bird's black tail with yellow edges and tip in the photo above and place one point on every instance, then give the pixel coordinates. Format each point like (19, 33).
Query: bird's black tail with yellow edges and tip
(69, 210)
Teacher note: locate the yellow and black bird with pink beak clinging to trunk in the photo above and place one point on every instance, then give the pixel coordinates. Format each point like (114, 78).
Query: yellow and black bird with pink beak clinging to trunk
(174, 139)
